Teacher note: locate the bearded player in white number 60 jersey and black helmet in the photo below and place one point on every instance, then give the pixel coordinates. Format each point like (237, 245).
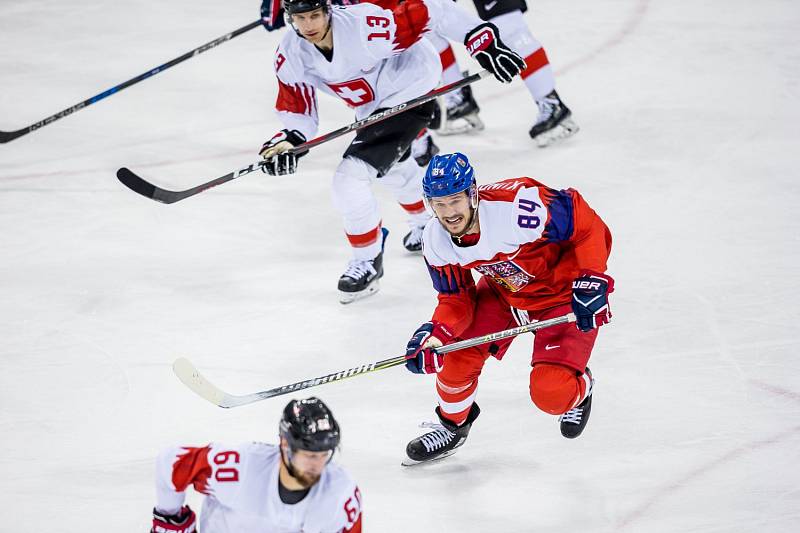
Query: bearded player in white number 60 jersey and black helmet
(255, 487)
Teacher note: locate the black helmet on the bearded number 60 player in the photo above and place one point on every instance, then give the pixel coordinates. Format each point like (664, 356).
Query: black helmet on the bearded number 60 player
(309, 425)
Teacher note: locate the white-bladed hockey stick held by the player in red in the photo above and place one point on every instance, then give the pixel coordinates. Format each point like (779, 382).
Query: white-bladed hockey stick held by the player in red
(193, 379)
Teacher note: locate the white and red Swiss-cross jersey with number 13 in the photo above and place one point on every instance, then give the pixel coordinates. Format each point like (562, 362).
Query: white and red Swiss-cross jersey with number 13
(379, 59)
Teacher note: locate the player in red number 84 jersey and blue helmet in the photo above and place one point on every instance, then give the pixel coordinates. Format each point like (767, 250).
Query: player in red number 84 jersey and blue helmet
(542, 253)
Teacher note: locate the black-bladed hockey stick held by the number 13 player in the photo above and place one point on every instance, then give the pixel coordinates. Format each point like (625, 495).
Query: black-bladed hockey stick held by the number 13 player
(145, 188)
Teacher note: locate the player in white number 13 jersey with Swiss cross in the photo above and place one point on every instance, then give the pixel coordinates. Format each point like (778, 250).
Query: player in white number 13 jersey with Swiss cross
(372, 58)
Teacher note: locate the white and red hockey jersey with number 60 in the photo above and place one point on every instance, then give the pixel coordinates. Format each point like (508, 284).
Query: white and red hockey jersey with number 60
(241, 488)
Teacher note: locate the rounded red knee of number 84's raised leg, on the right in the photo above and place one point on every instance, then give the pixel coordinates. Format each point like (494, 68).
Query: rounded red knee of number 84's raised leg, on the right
(554, 388)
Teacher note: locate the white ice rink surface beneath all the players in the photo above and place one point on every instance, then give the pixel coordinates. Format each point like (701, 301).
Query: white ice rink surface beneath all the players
(687, 151)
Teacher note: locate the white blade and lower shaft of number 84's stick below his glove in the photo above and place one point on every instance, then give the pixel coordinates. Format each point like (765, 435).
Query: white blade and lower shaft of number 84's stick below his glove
(192, 378)
